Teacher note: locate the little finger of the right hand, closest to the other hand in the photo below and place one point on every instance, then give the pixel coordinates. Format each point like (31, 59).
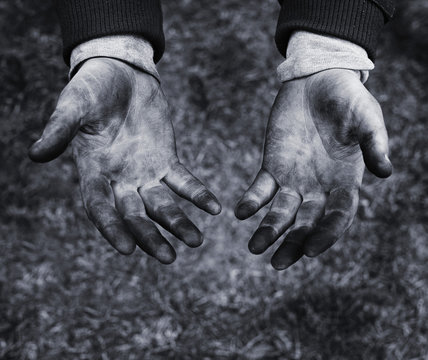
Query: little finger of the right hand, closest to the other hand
(258, 195)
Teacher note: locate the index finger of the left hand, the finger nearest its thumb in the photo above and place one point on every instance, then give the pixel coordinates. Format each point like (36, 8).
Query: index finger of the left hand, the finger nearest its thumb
(97, 195)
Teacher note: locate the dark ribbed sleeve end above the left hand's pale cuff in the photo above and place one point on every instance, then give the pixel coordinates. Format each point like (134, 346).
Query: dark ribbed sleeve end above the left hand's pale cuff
(83, 20)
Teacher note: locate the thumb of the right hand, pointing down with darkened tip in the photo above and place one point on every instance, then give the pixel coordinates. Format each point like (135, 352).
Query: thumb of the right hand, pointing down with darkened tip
(373, 137)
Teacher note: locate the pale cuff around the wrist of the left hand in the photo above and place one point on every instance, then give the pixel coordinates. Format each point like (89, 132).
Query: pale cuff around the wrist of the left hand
(128, 48)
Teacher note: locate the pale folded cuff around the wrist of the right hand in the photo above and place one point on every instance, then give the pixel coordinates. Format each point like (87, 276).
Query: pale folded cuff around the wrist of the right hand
(309, 53)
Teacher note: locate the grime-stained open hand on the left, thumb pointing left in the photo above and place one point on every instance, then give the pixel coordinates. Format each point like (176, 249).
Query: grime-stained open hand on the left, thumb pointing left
(123, 143)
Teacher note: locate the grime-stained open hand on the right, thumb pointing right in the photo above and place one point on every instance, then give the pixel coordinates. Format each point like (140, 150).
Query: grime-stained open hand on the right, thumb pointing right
(321, 131)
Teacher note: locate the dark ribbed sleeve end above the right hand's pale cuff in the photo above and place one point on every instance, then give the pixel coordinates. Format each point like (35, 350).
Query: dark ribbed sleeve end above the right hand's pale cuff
(359, 21)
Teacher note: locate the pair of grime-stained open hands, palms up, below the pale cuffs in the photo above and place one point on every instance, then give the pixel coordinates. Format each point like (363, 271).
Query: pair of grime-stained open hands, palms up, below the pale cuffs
(321, 130)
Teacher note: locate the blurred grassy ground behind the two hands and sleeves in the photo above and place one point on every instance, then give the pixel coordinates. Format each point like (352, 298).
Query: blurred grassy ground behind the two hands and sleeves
(65, 294)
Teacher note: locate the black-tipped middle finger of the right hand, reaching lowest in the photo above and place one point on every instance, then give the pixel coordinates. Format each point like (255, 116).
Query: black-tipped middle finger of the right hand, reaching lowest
(307, 216)
